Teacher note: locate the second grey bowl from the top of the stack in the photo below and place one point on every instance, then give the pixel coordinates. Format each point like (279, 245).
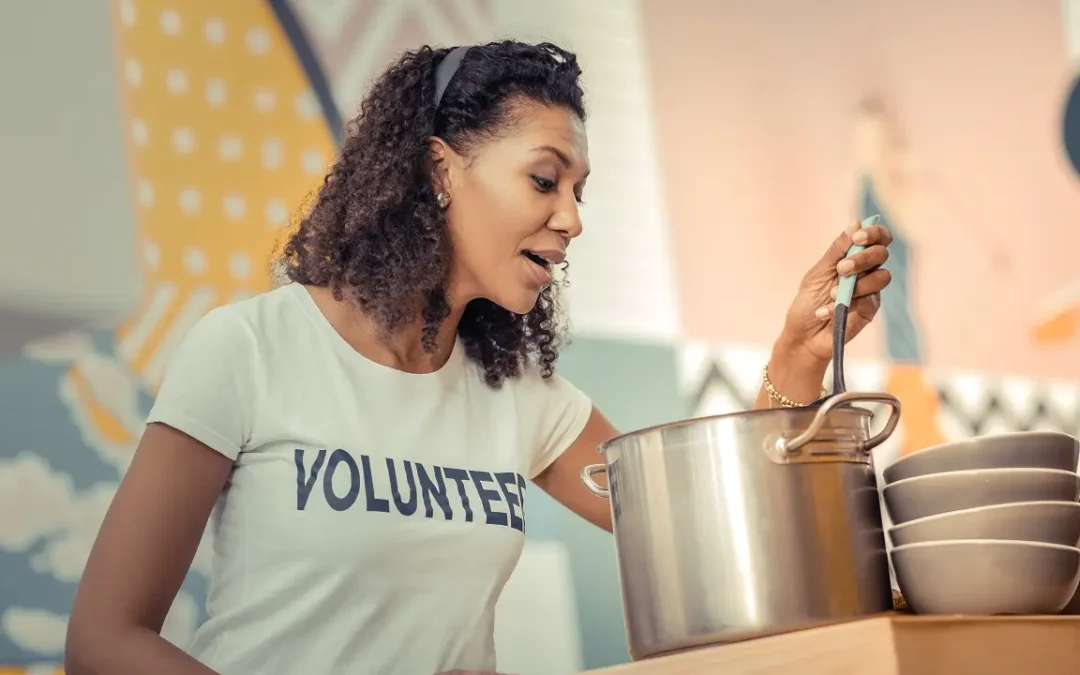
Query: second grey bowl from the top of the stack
(940, 493)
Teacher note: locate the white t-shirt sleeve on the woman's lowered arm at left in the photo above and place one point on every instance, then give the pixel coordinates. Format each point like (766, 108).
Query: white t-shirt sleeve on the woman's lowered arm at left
(210, 391)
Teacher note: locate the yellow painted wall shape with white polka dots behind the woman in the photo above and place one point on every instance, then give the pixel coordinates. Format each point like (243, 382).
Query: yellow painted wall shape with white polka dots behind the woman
(226, 140)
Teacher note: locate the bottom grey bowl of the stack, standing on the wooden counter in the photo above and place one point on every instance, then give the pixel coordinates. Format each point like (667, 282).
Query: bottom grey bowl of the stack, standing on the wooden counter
(987, 577)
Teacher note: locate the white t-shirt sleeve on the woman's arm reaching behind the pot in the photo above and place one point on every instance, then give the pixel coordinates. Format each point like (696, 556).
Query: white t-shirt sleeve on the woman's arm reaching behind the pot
(560, 412)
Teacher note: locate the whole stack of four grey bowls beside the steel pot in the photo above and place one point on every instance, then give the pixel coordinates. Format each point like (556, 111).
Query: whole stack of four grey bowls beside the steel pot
(989, 525)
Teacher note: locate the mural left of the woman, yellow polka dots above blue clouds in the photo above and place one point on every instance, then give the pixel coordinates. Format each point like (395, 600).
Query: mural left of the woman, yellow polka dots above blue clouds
(225, 138)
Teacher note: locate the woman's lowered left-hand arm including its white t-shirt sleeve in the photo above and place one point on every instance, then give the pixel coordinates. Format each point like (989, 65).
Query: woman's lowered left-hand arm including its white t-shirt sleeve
(201, 420)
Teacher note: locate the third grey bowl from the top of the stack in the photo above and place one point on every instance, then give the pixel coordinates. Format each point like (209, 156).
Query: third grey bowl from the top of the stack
(1046, 522)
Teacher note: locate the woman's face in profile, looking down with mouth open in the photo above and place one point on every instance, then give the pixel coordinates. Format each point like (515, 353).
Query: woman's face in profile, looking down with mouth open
(515, 207)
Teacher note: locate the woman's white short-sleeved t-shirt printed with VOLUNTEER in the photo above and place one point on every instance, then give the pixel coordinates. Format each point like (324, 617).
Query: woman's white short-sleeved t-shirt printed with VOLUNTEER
(373, 517)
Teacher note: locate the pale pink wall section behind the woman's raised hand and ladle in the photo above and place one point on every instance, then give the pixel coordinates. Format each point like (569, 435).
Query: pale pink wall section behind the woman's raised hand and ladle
(754, 106)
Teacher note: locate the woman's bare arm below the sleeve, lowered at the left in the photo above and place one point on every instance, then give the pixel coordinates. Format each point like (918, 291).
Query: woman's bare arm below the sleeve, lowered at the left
(141, 558)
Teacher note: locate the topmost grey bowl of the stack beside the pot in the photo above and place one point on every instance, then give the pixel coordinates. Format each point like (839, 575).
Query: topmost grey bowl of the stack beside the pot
(1023, 450)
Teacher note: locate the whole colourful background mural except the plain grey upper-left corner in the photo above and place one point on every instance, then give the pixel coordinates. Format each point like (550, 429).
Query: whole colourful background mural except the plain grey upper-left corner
(728, 143)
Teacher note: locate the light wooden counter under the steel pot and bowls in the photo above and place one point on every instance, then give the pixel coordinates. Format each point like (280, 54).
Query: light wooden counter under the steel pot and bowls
(890, 644)
